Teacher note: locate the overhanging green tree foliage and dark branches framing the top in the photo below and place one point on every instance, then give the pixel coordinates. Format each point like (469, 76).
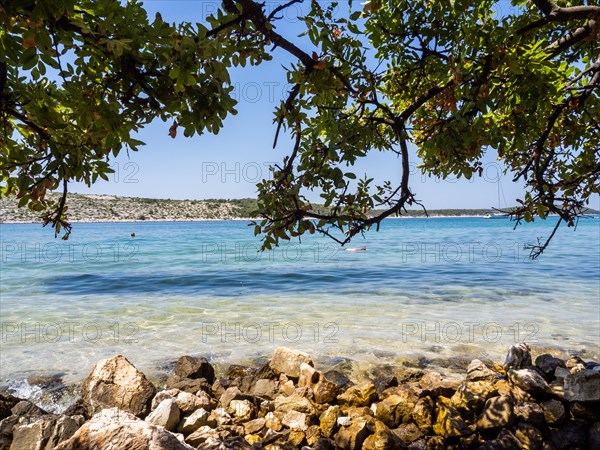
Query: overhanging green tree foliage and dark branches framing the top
(449, 77)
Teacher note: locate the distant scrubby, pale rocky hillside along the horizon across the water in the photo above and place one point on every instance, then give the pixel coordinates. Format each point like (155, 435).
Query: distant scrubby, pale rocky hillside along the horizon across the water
(107, 208)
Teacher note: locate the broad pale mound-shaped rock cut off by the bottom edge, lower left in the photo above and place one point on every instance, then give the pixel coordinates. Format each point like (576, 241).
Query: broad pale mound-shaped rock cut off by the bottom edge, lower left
(112, 429)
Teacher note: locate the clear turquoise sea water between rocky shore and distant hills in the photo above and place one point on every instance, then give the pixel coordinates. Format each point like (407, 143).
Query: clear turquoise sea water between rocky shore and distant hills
(425, 288)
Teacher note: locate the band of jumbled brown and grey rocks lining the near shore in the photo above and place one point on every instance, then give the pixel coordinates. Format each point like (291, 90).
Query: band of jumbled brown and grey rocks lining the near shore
(546, 403)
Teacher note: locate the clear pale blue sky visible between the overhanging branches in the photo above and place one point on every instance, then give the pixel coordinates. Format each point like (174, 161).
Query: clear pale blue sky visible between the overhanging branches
(229, 165)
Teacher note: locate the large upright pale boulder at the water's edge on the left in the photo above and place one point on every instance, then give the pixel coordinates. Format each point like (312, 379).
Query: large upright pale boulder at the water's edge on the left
(115, 382)
